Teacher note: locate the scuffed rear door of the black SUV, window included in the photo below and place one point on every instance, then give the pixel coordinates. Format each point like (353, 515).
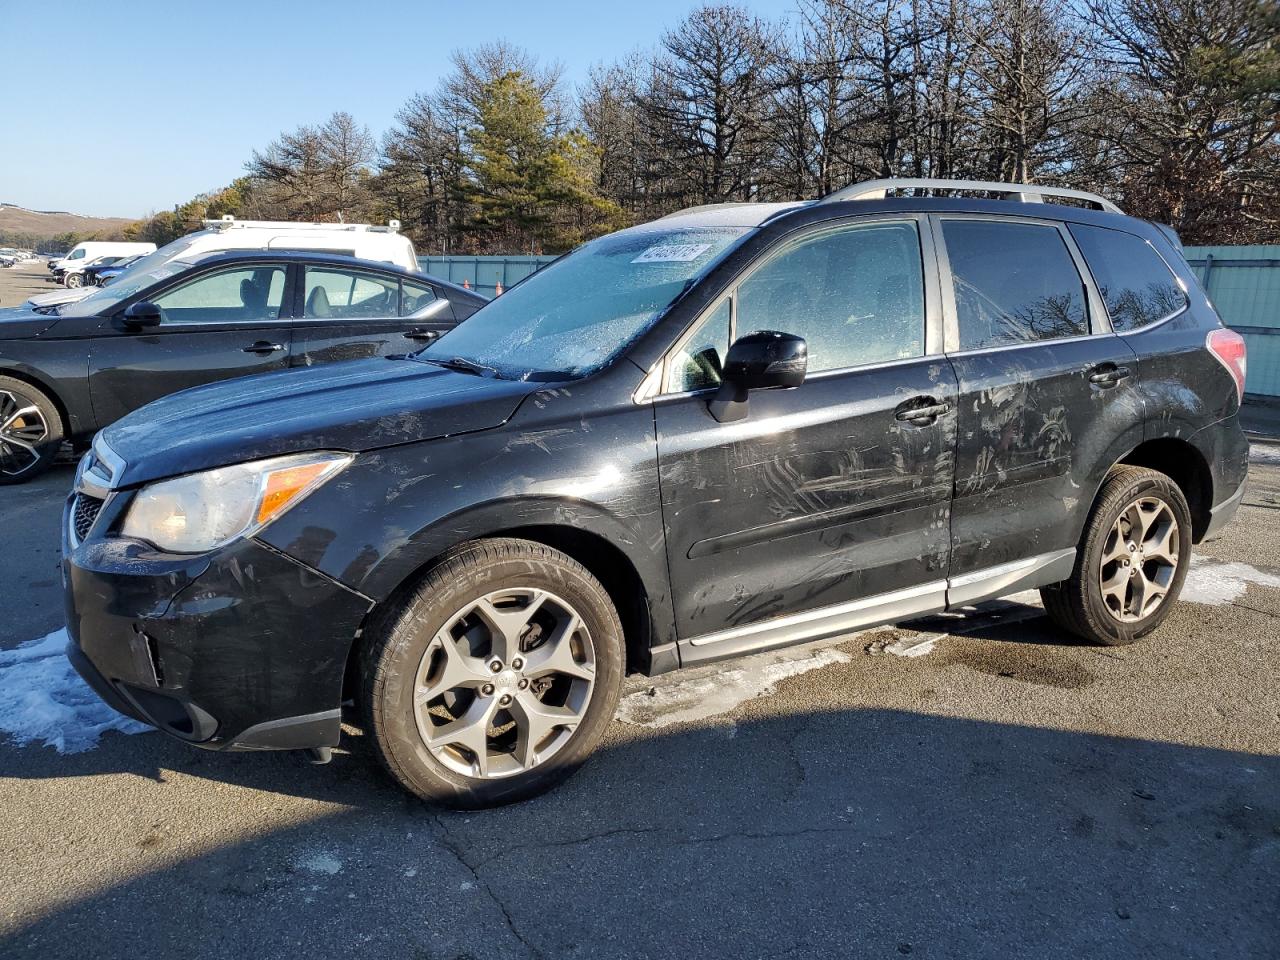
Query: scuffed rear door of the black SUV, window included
(1048, 397)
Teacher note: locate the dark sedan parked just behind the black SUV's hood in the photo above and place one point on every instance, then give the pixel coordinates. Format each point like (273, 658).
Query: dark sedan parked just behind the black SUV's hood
(65, 376)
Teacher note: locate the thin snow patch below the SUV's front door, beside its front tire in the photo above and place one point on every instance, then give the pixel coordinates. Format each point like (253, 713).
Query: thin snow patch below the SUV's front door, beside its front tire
(711, 694)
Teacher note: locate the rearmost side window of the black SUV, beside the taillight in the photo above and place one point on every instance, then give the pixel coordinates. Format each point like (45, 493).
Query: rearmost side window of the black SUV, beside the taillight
(1135, 282)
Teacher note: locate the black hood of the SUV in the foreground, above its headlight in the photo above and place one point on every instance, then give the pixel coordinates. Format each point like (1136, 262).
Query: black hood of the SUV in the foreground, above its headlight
(355, 406)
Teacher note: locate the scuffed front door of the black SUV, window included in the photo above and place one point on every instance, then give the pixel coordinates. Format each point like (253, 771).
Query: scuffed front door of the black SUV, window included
(830, 504)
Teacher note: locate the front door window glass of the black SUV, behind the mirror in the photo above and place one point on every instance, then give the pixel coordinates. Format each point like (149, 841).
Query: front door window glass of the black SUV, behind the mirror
(857, 296)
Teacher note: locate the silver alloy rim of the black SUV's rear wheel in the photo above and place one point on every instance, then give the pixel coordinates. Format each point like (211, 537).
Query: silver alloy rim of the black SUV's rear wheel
(1140, 560)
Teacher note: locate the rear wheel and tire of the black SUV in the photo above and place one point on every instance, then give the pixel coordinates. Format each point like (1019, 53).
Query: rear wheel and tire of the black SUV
(1142, 584)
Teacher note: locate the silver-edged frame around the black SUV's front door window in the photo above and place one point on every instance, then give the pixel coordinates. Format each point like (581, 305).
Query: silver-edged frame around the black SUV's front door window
(651, 387)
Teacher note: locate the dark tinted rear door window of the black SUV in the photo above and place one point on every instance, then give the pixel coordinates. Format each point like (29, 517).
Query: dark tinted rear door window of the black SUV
(1014, 284)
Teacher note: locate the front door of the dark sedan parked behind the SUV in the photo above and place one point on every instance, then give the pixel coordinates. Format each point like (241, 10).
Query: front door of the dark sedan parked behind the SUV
(226, 323)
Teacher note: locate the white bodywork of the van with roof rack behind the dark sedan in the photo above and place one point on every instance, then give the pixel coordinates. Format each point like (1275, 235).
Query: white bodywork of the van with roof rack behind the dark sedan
(358, 240)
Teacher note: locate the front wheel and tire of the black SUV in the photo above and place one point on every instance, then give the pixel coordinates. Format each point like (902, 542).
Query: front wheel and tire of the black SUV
(436, 753)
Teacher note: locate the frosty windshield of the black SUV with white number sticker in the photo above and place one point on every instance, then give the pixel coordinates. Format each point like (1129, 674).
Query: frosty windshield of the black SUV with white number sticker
(574, 317)
